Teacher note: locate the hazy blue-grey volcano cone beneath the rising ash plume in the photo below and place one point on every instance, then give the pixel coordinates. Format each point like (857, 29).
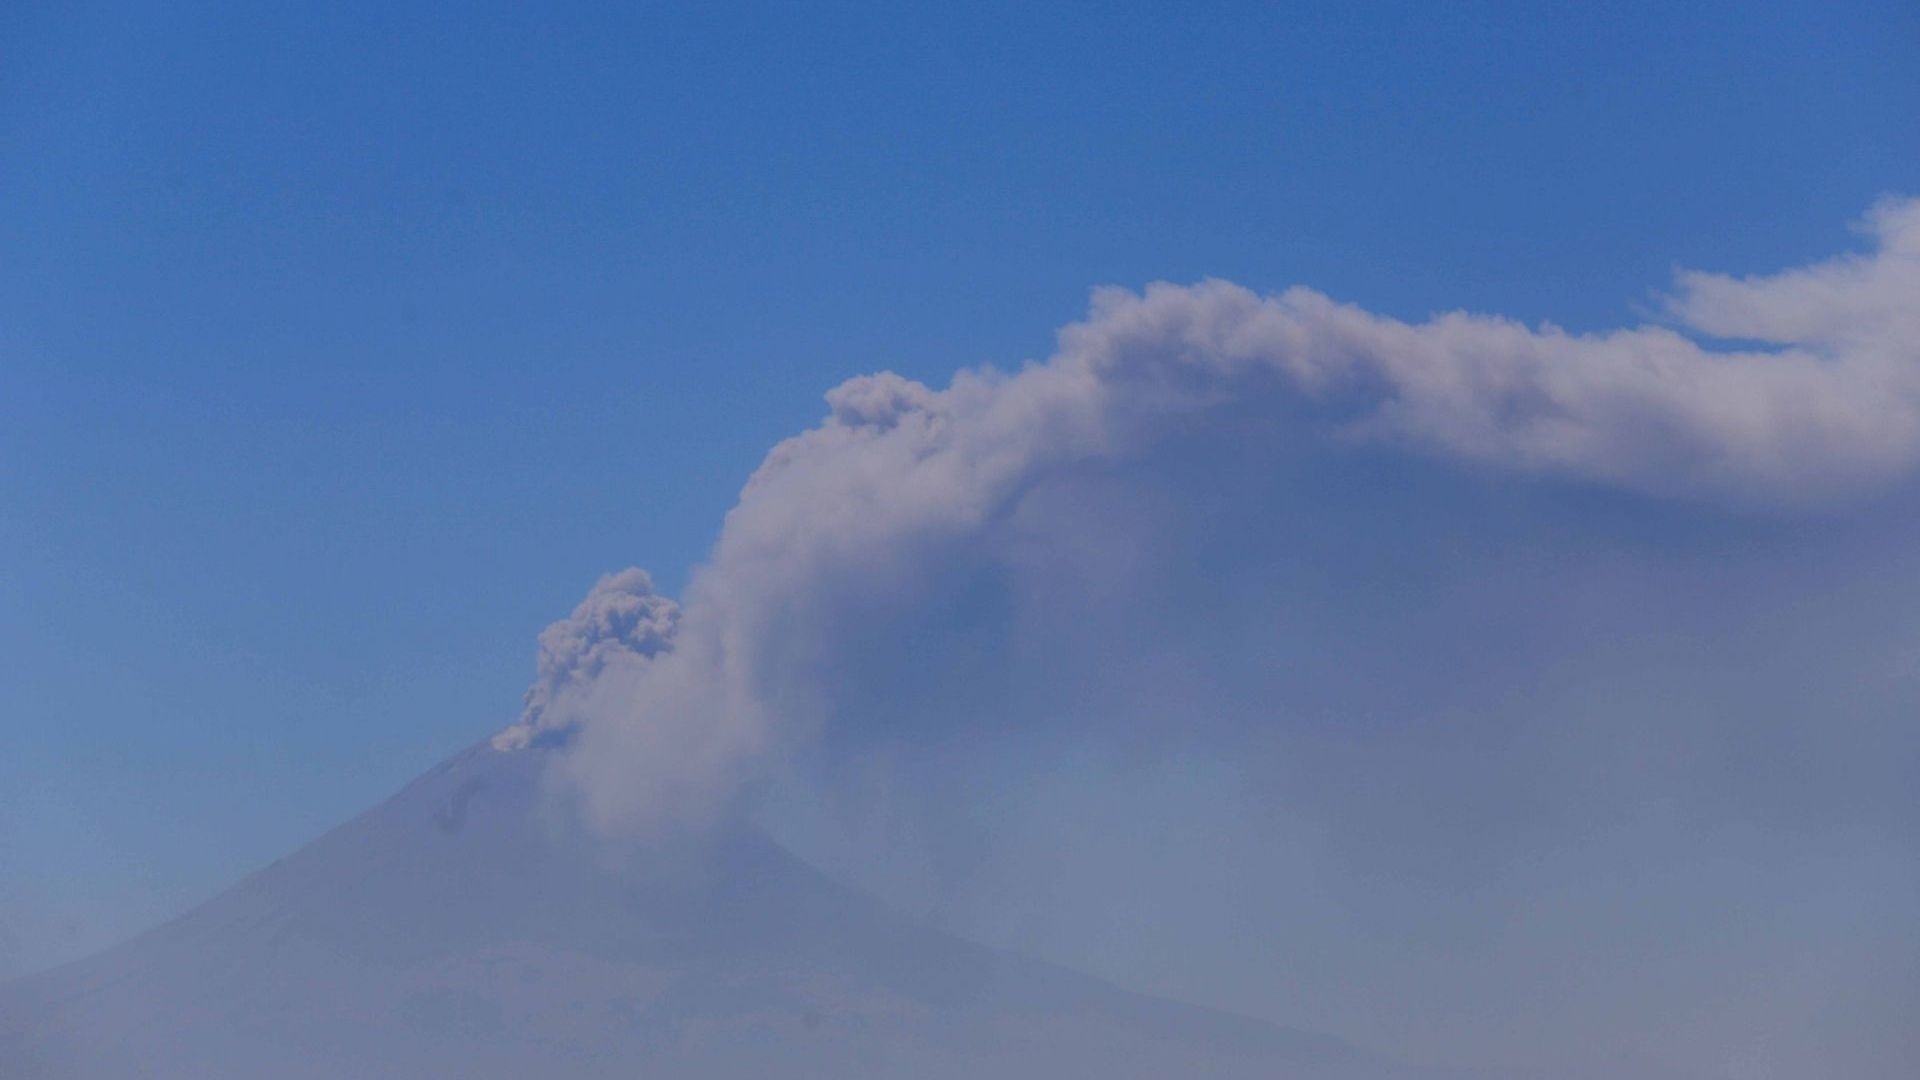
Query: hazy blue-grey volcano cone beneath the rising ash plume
(464, 931)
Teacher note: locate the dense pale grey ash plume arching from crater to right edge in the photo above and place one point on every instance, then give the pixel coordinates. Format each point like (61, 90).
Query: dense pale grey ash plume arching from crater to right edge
(1813, 399)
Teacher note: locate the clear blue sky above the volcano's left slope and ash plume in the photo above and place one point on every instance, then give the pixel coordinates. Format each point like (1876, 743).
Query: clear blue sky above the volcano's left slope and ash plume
(341, 349)
